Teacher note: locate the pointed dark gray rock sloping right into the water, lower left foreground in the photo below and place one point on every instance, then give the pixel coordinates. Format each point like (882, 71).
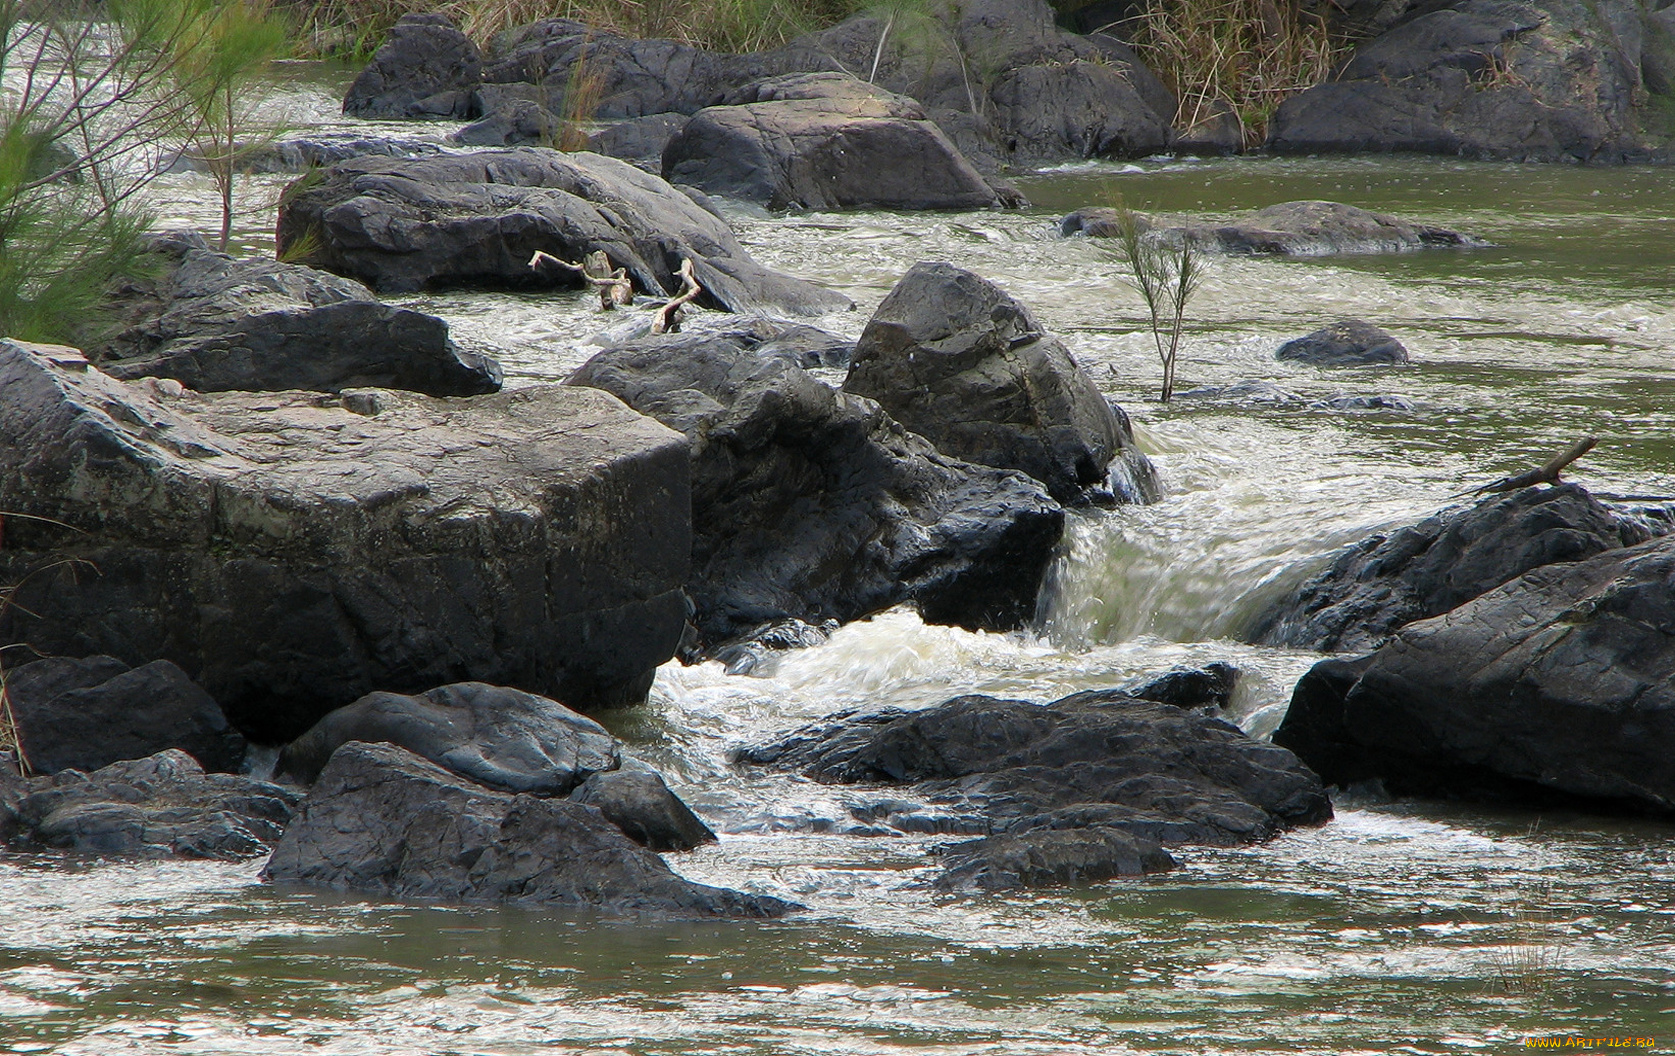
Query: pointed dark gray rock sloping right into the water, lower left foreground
(386, 822)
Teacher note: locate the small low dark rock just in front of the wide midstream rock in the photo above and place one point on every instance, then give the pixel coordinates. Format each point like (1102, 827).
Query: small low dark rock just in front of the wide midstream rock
(1049, 857)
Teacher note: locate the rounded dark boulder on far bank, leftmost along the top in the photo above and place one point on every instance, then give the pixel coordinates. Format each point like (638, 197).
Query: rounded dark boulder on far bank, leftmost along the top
(425, 70)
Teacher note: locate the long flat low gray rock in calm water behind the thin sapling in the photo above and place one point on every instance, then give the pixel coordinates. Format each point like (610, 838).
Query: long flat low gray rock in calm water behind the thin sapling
(1291, 229)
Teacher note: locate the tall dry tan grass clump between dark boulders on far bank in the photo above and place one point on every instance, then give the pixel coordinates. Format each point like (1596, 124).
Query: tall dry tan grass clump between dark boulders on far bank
(1250, 54)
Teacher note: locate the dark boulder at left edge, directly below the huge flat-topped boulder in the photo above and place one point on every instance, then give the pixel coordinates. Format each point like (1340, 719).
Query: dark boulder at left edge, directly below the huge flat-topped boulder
(96, 712)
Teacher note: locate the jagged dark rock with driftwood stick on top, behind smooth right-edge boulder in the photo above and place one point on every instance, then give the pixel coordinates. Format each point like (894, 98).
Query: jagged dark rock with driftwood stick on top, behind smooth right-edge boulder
(1386, 581)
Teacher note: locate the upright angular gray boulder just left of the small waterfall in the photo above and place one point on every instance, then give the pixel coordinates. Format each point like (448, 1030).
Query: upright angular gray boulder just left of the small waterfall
(959, 361)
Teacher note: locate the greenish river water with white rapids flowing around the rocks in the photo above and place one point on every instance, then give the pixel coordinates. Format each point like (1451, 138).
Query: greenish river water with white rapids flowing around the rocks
(1413, 928)
